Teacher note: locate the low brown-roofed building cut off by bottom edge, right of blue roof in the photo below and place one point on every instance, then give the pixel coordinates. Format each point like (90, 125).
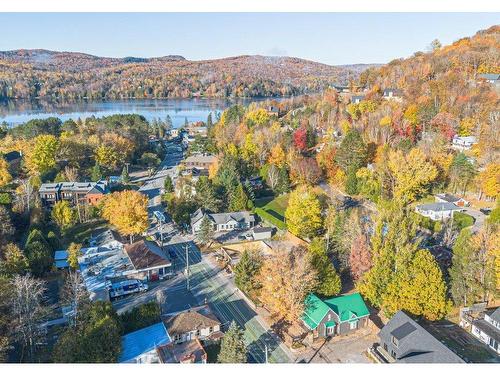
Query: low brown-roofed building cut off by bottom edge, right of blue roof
(186, 352)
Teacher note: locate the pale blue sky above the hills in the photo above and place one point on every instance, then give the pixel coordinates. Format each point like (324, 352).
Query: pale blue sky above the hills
(330, 38)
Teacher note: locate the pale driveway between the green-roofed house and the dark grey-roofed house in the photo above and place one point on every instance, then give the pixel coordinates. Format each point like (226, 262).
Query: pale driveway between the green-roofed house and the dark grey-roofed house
(342, 349)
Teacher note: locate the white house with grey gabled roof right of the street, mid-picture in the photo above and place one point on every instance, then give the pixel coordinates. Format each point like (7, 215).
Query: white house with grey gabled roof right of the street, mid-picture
(224, 221)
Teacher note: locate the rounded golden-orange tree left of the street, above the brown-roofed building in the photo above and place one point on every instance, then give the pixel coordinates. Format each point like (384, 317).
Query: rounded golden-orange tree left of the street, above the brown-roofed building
(127, 211)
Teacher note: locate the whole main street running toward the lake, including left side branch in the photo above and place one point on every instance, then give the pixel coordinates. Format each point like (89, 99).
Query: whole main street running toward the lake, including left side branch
(207, 283)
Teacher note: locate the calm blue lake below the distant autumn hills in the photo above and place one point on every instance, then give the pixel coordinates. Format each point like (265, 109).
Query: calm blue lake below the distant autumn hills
(16, 112)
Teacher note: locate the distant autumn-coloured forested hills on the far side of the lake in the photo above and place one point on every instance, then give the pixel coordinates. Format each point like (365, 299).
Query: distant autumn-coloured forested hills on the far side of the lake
(65, 75)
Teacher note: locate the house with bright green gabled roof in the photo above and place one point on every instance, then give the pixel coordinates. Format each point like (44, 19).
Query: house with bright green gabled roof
(335, 316)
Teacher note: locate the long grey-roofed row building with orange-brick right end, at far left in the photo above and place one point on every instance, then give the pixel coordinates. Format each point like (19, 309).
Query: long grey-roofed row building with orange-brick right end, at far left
(74, 192)
